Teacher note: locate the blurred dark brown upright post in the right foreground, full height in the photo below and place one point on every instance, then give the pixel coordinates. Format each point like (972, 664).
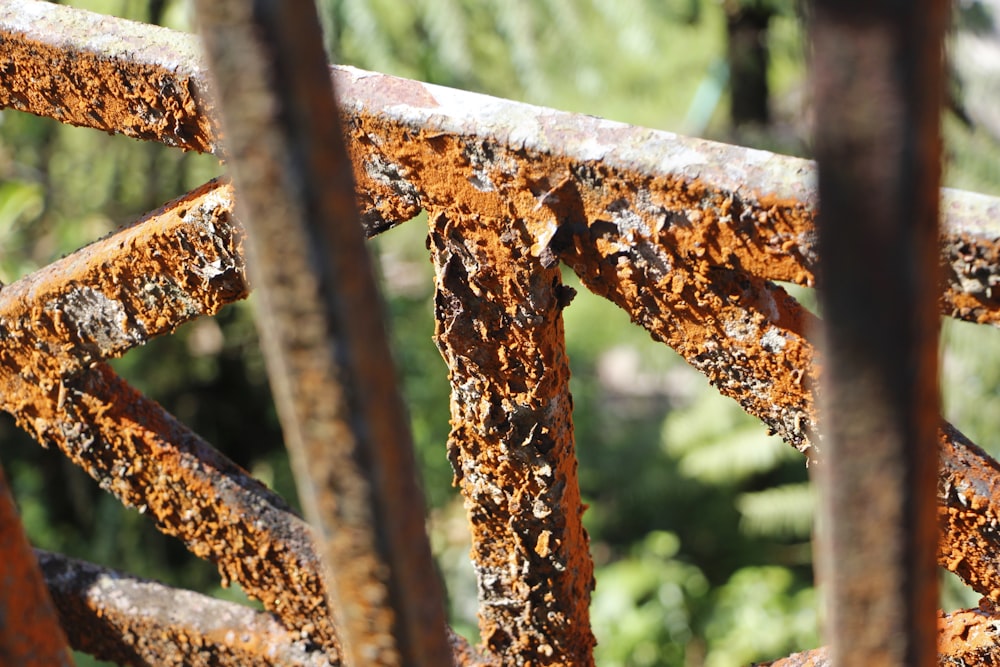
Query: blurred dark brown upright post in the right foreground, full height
(877, 72)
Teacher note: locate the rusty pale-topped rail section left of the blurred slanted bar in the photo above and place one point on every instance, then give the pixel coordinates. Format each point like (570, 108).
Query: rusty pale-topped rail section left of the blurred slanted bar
(110, 74)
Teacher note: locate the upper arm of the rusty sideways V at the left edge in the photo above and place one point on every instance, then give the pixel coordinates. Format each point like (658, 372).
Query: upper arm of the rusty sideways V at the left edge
(179, 262)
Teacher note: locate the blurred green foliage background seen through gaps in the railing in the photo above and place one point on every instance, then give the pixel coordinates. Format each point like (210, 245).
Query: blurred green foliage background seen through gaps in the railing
(700, 523)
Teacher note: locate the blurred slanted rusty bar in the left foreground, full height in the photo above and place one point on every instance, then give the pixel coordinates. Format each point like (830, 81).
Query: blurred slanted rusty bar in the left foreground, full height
(321, 324)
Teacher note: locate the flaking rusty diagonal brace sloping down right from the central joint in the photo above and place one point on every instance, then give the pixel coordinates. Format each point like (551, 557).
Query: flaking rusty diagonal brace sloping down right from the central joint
(749, 338)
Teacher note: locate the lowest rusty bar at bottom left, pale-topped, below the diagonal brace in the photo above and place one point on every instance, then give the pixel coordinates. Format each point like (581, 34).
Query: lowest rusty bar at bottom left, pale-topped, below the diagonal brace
(128, 620)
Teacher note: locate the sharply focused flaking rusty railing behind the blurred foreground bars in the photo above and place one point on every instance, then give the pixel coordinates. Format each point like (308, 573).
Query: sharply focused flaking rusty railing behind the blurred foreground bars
(685, 235)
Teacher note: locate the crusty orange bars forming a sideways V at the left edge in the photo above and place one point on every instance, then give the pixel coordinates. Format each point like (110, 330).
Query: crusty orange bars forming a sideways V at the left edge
(55, 325)
